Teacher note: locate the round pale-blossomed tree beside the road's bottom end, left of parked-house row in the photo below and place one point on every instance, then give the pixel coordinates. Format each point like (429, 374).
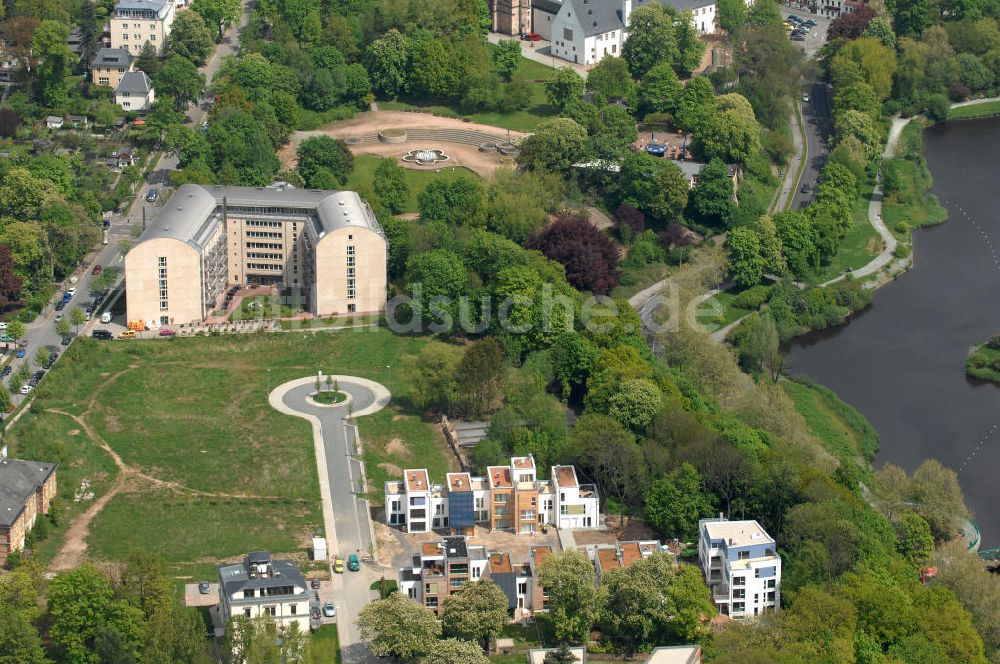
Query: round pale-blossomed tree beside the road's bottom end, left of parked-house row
(399, 627)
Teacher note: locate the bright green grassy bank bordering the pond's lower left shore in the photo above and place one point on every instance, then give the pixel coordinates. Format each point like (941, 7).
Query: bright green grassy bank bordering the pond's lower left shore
(842, 430)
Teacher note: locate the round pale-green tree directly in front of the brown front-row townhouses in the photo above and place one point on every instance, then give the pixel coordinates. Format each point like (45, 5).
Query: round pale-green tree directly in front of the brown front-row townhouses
(478, 613)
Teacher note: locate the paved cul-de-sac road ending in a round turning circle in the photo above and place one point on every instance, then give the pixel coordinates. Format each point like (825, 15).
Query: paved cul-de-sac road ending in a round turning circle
(346, 516)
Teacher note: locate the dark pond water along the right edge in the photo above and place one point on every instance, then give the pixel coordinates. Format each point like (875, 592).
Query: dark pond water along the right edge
(901, 362)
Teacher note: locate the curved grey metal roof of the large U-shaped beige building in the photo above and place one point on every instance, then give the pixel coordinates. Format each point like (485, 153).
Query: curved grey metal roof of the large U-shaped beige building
(190, 214)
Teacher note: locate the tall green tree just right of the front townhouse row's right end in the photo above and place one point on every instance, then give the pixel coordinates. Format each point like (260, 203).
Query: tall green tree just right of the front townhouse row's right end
(568, 578)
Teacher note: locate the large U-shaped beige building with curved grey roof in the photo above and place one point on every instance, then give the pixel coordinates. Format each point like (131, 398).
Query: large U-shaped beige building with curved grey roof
(326, 245)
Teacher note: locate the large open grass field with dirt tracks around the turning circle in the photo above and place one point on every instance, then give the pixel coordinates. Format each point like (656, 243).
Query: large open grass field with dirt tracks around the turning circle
(221, 471)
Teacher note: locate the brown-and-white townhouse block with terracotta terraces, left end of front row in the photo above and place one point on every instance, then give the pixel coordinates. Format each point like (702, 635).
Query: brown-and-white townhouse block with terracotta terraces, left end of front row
(440, 569)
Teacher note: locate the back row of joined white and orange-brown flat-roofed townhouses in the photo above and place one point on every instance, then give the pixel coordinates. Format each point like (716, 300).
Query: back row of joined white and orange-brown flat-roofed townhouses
(508, 498)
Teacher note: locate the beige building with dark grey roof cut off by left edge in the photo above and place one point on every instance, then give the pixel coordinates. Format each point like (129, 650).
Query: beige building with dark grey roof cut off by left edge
(27, 489)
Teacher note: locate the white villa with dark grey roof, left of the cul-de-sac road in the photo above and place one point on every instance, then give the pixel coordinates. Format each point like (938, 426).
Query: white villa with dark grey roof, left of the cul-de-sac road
(259, 586)
